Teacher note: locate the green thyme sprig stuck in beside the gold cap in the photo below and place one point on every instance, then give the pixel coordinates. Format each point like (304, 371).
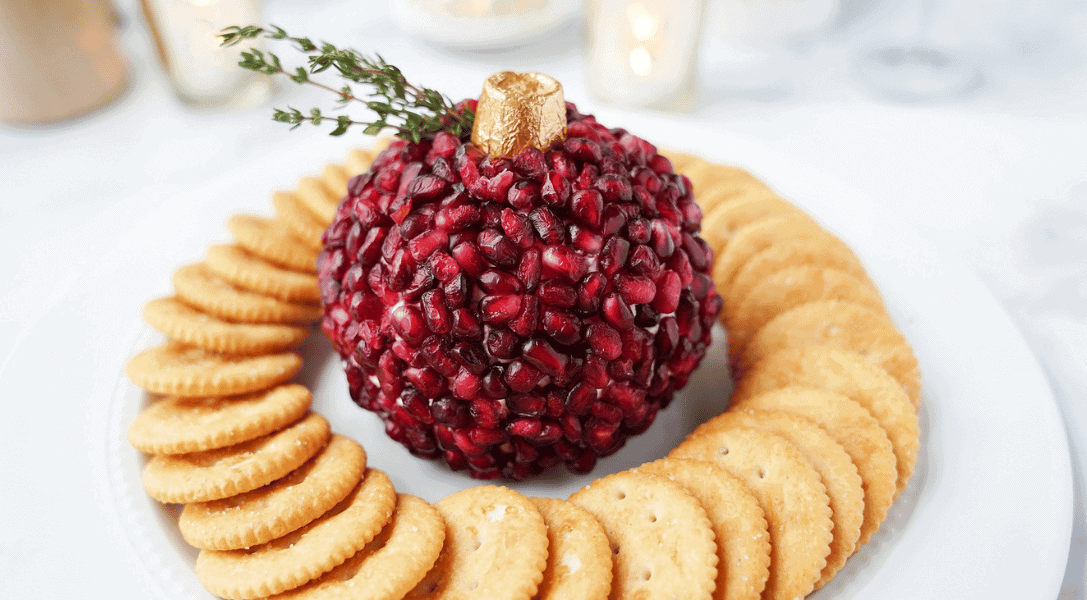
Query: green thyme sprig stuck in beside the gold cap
(413, 112)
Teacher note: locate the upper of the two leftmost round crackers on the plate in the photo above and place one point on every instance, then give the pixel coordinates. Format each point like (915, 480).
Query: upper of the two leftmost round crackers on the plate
(177, 369)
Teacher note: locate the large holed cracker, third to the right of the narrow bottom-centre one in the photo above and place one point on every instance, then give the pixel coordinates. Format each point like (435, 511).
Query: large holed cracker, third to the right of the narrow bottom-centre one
(792, 496)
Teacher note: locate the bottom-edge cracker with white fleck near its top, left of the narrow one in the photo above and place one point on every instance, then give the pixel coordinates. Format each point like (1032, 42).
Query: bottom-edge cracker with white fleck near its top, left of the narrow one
(496, 547)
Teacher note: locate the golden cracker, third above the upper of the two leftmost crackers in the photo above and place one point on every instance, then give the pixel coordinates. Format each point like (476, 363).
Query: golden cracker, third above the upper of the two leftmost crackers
(247, 271)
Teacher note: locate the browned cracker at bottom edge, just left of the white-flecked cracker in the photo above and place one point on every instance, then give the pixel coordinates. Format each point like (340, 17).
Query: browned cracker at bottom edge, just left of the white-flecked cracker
(390, 566)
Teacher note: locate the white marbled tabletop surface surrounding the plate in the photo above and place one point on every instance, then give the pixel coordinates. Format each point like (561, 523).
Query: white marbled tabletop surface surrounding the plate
(96, 214)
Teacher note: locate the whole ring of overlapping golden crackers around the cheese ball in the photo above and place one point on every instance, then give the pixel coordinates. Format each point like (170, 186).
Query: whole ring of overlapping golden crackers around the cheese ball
(774, 517)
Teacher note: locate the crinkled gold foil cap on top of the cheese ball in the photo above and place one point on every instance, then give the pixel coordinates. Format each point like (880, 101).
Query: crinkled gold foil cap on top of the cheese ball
(518, 110)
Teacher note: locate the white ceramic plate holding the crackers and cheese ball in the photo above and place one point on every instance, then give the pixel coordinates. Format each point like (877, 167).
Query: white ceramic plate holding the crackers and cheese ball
(989, 512)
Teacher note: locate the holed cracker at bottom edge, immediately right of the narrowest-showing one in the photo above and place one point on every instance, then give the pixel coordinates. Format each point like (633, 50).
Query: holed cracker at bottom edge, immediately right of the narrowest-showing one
(660, 535)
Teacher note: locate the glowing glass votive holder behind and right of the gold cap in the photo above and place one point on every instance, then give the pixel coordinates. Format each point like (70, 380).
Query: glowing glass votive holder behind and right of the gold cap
(644, 53)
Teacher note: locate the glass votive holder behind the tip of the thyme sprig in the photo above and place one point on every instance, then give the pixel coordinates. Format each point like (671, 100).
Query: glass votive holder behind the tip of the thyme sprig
(202, 71)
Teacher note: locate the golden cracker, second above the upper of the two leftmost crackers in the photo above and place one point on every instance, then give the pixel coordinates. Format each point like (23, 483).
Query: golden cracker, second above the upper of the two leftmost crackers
(201, 287)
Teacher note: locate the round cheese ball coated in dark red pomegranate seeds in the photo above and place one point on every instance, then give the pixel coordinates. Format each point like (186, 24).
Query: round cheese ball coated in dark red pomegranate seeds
(511, 315)
